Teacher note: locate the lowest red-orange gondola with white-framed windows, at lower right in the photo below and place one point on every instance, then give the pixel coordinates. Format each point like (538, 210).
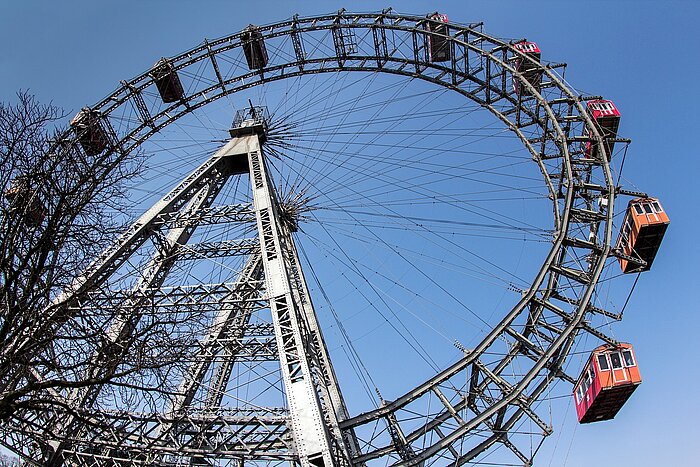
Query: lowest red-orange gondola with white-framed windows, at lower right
(607, 381)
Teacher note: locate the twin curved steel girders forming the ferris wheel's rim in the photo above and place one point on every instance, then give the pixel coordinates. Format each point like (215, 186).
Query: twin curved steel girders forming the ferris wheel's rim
(498, 54)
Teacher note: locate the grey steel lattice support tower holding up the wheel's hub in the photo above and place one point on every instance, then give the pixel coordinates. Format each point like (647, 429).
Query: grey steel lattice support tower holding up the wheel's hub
(305, 432)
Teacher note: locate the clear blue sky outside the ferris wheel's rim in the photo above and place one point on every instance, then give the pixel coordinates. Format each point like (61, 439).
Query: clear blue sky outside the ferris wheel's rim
(641, 54)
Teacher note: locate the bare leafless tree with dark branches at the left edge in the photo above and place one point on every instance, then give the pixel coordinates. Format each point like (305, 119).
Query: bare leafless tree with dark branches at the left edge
(59, 208)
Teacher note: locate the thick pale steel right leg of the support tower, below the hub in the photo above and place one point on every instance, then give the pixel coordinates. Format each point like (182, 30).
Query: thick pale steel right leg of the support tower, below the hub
(314, 399)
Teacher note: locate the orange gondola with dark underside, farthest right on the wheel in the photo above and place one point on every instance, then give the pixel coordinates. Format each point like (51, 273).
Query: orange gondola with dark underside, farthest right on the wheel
(642, 232)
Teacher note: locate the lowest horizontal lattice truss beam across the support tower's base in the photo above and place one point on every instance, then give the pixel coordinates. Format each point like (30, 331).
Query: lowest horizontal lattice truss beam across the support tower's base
(203, 435)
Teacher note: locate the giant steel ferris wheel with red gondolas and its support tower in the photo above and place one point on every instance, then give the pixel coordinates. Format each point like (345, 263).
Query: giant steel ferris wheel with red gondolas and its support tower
(371, 239)
